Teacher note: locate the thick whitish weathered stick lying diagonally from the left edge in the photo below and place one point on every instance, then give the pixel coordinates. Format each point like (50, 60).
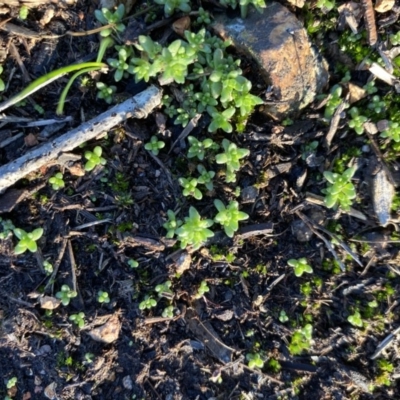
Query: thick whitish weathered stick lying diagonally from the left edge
(138, 106)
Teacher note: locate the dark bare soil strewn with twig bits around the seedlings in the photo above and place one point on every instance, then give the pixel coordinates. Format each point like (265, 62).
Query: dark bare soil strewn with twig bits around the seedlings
(200, 353)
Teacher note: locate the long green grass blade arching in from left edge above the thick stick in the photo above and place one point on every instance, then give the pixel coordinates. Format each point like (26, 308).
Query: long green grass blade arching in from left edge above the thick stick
(45, 80)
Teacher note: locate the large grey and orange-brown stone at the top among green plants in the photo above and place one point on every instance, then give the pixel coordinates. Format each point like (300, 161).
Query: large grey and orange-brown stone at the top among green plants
(278, 43)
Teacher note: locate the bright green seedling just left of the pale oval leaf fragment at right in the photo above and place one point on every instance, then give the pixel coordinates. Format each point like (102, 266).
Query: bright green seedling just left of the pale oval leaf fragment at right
(340, 190)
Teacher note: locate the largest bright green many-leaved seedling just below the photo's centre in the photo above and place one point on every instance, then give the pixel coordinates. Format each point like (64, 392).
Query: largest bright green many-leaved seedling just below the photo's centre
(195, 230)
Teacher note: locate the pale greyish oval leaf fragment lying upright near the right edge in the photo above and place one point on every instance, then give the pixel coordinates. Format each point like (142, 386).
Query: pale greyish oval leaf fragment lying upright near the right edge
(382, 196)
